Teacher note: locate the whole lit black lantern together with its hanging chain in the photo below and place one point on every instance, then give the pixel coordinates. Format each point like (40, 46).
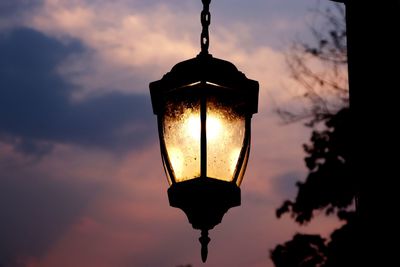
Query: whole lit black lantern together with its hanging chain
(204, 107)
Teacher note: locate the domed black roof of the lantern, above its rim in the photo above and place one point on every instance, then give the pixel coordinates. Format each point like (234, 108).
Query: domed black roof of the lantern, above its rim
(205, 68)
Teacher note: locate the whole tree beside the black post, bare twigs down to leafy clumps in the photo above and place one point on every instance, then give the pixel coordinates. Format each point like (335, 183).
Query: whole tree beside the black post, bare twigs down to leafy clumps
(329, 185)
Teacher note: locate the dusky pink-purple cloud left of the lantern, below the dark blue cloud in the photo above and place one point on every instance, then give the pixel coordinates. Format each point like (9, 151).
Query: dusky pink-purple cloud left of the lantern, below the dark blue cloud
(105, 211)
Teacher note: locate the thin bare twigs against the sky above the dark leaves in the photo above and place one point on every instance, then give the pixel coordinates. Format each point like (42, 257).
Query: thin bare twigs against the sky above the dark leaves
(320, 69)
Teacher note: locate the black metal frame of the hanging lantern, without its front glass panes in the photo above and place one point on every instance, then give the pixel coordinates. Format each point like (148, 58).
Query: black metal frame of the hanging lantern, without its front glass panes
(204, 199)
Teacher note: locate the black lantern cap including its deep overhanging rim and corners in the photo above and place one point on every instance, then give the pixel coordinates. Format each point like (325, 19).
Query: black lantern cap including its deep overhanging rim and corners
(206, 71)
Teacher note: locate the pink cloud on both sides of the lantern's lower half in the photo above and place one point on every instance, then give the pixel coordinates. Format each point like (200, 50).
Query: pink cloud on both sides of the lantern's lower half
(129, 221)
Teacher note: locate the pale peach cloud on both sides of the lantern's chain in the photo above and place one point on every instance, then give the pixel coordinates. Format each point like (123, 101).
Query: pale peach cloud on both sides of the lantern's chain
(132, 42)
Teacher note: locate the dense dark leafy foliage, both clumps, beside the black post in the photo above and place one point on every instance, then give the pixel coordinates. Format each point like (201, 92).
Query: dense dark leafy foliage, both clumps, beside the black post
(329, 187)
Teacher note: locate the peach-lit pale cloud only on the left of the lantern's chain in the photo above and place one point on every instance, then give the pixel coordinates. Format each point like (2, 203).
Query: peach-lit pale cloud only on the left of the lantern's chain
(130, 43)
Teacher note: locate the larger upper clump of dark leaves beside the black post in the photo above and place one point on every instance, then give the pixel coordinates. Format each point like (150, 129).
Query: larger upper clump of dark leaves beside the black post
(329, 185)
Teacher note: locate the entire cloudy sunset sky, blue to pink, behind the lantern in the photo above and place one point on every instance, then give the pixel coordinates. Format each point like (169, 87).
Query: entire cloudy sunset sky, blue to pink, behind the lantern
(81, 178)
